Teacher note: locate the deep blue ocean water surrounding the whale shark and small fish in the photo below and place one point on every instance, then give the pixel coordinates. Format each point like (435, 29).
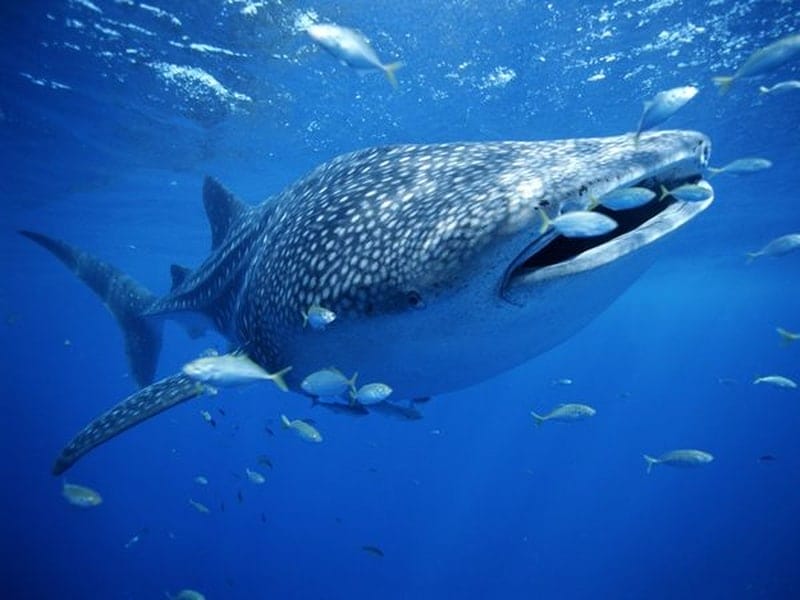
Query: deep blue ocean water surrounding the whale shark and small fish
(111, 113)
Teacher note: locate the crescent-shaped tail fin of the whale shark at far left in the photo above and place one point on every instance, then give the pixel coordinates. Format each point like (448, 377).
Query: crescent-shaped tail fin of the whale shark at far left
(126, 299)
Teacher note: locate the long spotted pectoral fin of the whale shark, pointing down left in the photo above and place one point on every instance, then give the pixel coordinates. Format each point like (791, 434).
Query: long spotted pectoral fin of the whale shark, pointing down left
(134, 409)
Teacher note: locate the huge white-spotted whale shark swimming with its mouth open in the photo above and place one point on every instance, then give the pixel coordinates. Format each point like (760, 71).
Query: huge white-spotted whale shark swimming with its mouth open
(424, 253)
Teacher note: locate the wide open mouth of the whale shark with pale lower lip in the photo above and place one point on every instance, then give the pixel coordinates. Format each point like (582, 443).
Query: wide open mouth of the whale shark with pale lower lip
(553, 255)
